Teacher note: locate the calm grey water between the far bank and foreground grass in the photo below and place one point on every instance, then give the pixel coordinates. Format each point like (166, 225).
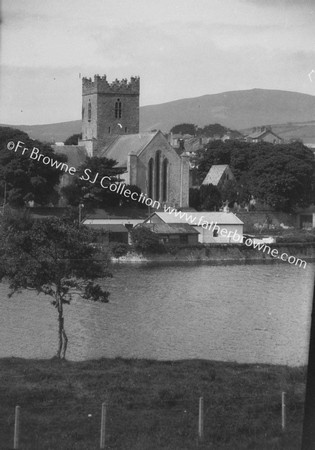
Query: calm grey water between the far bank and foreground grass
(247, 313)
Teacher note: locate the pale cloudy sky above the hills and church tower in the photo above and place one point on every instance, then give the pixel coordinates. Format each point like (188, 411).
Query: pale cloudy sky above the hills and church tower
(179, 48)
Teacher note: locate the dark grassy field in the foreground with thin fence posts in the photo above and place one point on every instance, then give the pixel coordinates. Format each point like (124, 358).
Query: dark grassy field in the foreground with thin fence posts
(150, 404)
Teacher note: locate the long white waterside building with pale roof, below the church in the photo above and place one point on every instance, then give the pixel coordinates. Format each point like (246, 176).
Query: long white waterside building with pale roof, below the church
(213, 227)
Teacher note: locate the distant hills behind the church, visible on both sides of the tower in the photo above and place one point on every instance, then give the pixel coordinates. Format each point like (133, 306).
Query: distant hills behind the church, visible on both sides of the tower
(236, 110)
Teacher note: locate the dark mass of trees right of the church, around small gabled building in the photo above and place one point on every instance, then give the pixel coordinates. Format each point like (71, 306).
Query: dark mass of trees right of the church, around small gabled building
(281, 176)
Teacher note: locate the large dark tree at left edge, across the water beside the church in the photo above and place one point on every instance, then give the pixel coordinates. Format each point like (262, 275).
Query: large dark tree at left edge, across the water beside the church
(23, 179)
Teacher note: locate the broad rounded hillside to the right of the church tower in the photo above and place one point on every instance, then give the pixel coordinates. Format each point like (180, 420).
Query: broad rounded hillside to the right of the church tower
(235, 110)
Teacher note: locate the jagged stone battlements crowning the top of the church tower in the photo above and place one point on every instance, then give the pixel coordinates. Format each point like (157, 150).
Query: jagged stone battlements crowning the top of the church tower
(100, 85)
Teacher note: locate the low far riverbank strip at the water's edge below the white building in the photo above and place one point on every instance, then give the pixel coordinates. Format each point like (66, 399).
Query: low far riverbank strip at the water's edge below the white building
(222, 254)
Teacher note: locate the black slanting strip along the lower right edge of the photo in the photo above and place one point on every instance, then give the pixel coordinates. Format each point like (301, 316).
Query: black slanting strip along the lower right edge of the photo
(308, 438)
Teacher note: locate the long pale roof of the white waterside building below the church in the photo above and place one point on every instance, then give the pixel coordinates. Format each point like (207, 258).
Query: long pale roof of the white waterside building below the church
(193, 218)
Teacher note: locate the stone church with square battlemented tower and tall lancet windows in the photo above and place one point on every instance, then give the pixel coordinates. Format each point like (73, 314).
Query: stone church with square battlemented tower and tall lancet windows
(110, 128)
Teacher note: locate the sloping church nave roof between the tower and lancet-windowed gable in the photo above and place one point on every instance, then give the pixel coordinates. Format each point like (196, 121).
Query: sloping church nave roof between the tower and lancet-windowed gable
(127, 144)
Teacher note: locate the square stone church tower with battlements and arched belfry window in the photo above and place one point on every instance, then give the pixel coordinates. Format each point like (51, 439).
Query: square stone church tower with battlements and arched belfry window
(108, 110)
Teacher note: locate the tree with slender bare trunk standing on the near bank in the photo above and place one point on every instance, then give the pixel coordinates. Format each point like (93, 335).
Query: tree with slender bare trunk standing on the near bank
(55, 257)
